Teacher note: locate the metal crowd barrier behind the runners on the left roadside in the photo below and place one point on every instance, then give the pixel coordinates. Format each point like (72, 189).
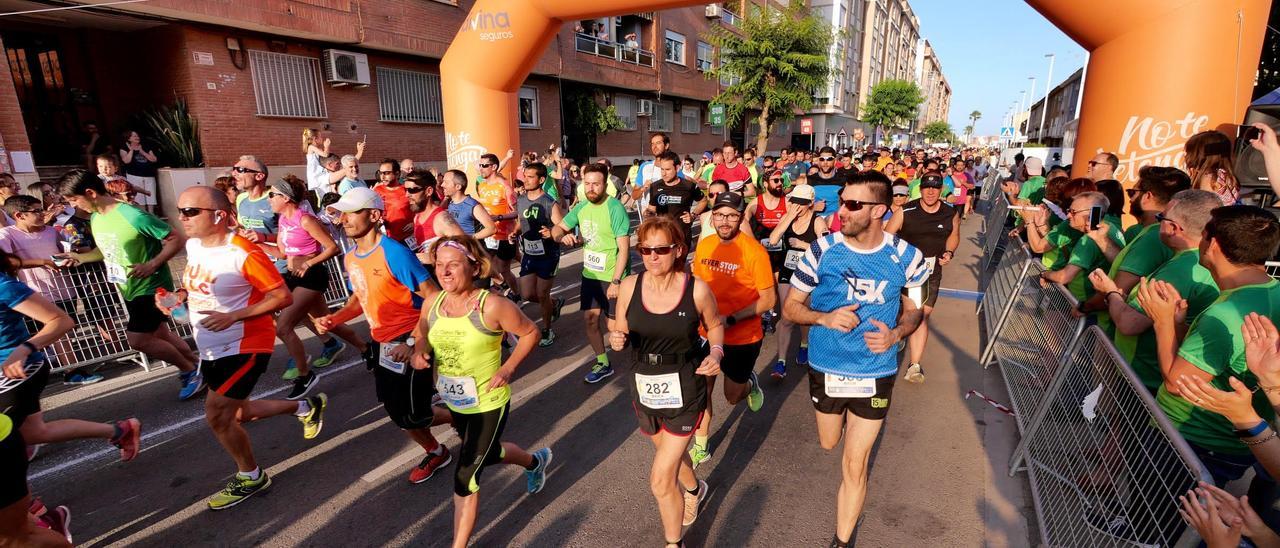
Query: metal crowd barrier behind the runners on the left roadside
(100, 317)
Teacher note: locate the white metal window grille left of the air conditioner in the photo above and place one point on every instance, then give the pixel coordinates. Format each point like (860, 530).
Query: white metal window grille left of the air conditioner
(287, 85)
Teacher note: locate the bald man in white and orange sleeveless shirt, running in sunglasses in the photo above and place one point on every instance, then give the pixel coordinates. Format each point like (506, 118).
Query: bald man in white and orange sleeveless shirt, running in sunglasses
(234, 290)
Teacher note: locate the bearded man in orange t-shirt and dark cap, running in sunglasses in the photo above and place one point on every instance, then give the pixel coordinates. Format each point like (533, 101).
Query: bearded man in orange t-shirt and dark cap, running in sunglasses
(737, 268)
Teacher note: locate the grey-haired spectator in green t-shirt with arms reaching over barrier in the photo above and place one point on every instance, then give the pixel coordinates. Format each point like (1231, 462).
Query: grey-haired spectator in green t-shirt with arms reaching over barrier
(1180, 230)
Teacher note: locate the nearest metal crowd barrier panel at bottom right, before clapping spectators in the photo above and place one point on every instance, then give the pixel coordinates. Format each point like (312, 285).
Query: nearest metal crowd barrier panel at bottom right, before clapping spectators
(1105, 464)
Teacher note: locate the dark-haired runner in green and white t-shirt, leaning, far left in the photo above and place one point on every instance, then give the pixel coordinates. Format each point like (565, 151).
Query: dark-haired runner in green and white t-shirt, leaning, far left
(136, 249)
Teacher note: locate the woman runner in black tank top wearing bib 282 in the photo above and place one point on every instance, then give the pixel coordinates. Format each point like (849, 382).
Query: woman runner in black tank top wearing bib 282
(657, 312)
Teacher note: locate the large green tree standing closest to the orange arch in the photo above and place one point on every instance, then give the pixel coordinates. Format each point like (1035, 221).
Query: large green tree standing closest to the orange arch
(776, 65)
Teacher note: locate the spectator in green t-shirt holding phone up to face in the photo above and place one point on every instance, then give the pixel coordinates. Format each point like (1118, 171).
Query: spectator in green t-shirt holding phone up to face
(1087, 214)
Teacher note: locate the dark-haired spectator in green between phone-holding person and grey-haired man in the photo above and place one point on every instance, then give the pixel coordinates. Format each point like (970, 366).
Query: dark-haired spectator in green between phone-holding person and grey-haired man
(1144, 252)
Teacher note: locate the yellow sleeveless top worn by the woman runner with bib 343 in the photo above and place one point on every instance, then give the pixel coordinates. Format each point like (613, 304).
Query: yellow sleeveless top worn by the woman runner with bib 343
(468, 354)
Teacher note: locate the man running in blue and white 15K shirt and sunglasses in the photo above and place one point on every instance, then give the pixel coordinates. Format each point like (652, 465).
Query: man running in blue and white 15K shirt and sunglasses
(851, 289)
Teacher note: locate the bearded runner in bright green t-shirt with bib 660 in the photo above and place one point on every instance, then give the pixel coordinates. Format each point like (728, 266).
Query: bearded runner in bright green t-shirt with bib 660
(606, 236)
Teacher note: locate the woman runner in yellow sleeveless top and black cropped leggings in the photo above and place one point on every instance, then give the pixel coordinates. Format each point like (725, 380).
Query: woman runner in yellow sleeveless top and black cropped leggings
(465, 331)
